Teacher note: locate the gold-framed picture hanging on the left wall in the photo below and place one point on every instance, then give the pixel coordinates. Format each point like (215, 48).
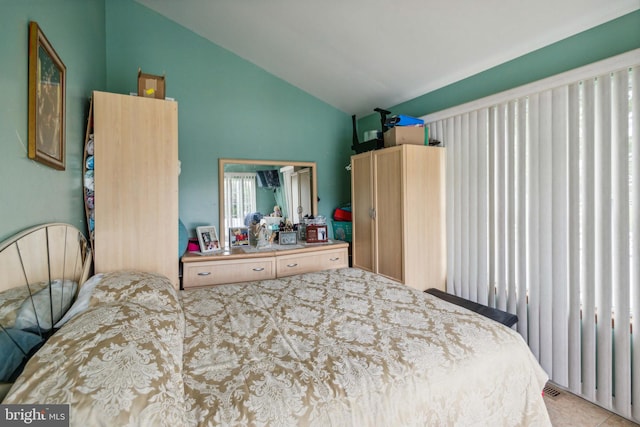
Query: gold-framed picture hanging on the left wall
(47, 93)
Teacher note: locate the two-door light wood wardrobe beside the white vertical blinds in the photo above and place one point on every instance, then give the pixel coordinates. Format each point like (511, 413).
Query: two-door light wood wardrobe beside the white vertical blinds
(399, 216)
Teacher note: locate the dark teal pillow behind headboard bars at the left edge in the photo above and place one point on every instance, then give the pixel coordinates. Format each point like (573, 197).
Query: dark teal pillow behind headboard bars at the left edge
(13, 351)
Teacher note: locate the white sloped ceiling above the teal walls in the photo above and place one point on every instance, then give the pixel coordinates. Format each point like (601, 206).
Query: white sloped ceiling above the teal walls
(359, 54)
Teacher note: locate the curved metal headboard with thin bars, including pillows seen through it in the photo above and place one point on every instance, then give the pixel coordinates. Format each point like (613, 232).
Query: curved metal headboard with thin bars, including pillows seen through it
(52, 255)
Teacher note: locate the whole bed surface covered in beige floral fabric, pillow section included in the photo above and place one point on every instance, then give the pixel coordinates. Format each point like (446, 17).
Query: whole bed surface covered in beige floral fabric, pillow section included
(339, 347)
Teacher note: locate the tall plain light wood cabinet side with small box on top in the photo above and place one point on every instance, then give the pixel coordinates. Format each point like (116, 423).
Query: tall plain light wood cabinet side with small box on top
(136, 184)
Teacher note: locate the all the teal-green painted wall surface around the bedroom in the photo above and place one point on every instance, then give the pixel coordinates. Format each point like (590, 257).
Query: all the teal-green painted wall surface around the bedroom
(227, 106)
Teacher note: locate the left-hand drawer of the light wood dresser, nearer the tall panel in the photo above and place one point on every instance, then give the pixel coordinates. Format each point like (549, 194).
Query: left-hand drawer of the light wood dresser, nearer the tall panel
(231, 271)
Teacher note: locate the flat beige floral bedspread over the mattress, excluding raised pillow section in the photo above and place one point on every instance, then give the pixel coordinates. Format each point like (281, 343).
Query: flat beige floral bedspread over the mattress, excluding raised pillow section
(349, 348)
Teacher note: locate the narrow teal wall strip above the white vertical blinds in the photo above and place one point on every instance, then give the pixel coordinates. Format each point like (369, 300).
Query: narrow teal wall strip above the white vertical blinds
(612, 38)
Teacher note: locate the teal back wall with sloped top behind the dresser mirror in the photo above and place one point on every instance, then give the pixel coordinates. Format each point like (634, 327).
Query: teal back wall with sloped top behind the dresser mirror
(227, 107)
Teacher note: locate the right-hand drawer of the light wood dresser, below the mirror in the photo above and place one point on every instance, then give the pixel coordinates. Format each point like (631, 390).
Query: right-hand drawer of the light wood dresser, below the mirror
(288, 265)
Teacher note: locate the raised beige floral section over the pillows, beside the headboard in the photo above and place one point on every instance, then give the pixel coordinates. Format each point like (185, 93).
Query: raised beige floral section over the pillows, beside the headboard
(117, 364)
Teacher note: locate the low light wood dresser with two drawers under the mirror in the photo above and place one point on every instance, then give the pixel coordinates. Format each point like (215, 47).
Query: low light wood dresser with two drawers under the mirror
(245, 265)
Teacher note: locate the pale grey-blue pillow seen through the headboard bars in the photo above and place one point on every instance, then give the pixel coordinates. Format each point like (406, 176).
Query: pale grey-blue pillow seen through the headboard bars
(35, 313)
